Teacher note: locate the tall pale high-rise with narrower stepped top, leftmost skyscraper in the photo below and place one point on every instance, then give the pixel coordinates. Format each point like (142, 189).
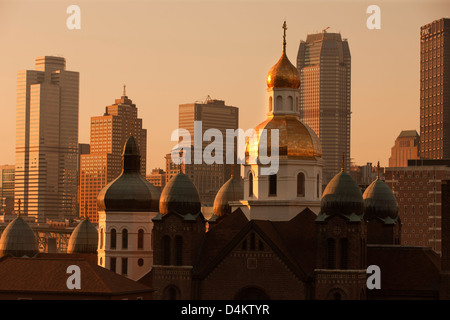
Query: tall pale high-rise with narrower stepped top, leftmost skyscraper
(47, 139)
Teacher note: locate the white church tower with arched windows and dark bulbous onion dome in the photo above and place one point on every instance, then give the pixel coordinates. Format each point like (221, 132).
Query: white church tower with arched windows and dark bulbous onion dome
(126, 208)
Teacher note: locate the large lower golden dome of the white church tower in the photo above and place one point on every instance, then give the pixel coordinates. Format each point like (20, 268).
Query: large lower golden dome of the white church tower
(296, 140)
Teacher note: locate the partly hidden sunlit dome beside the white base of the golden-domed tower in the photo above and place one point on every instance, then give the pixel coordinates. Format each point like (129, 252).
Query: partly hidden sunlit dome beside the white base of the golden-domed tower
(232, 190)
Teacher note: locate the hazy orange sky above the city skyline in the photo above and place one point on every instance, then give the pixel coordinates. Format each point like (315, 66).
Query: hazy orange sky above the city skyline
(174, 52)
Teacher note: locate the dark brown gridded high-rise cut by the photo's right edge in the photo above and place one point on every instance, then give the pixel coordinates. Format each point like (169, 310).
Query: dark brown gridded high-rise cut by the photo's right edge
(435, 90)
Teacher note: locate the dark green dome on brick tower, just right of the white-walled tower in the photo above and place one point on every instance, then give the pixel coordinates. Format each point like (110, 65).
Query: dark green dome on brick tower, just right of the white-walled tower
(180, 196)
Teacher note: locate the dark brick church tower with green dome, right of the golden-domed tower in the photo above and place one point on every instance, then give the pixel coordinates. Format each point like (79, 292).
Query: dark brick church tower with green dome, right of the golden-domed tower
(341, 242)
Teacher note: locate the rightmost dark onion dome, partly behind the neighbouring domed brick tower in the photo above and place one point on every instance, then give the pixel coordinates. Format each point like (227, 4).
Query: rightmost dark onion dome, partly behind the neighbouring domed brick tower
(380, 202)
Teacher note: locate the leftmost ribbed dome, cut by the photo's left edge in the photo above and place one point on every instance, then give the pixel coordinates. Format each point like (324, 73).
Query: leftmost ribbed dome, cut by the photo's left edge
(18, 239)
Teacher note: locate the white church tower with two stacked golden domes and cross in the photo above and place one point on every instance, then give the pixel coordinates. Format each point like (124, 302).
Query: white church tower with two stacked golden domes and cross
(295, 184)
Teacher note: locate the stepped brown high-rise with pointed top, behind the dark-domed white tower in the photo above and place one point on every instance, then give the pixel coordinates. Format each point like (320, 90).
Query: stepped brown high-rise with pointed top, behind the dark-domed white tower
(104, 162)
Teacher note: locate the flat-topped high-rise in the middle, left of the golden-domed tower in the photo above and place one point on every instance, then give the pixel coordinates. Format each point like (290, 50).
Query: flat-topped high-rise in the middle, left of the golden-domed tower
(213, 114)
